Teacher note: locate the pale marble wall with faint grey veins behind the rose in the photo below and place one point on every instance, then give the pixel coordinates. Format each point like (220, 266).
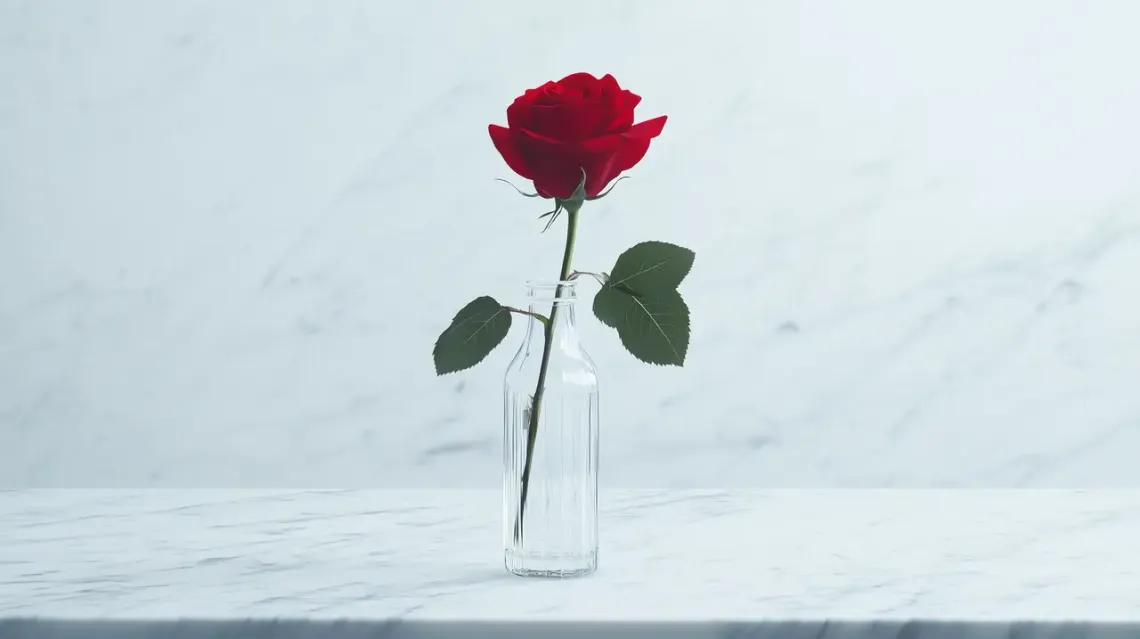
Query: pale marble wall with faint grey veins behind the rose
(231, 233)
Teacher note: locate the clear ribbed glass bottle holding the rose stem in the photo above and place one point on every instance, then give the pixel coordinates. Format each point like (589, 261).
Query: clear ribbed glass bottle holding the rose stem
(558, 536)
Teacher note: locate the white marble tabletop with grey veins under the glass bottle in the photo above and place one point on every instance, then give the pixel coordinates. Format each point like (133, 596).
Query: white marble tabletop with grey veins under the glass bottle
(359, 563)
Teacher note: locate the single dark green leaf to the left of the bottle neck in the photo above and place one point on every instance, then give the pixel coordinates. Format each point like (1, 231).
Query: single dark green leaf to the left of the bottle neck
(476, 331)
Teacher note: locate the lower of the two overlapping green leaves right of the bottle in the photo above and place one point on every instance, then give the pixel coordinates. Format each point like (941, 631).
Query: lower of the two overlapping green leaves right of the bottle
(654, 326)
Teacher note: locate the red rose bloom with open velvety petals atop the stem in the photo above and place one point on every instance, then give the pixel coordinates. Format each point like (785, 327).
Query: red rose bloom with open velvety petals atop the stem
(577, 124)
